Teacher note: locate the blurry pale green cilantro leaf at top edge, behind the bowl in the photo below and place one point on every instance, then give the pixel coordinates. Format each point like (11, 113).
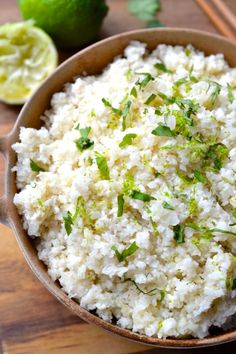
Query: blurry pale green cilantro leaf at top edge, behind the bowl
(144, 10)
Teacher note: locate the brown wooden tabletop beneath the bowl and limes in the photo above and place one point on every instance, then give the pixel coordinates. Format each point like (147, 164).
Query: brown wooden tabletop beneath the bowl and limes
(32, 321)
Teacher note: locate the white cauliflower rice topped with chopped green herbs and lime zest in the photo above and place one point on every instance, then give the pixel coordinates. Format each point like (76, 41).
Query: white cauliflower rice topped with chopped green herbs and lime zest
(130, 189)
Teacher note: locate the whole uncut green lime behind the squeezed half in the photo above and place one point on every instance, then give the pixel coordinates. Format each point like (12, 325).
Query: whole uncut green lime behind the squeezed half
(71, 23)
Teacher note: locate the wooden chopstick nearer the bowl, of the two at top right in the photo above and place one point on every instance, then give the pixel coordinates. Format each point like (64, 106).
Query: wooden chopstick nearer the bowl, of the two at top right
(216, 19)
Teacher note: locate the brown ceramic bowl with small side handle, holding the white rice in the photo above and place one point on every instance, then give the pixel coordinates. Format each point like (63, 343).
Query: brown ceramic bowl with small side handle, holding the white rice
(92, 60)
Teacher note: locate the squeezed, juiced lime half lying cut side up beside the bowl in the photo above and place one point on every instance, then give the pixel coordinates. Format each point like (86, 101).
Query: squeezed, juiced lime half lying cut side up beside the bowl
(27, 56)
